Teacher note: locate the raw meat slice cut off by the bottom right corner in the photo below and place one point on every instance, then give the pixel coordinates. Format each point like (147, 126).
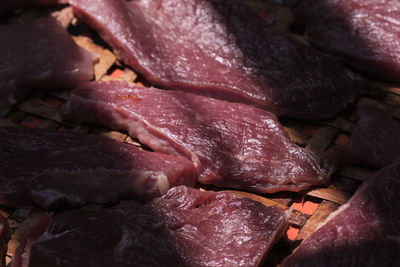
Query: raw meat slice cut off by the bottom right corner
(364, 232)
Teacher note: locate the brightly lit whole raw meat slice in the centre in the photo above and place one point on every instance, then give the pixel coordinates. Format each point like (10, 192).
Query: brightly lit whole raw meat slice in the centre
(231, 144)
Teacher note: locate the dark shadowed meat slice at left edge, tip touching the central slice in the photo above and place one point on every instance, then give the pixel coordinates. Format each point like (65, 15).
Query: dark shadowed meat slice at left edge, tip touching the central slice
(57, 169)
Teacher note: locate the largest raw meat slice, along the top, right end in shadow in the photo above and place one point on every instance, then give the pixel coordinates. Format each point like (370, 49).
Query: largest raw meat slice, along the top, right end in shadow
(223, 50)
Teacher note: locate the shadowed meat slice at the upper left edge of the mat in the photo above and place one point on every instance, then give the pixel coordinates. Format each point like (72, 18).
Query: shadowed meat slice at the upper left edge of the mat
(39, 55)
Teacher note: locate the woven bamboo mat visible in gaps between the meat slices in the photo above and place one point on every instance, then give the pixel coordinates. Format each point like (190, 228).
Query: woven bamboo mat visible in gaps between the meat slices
(309, 208)
